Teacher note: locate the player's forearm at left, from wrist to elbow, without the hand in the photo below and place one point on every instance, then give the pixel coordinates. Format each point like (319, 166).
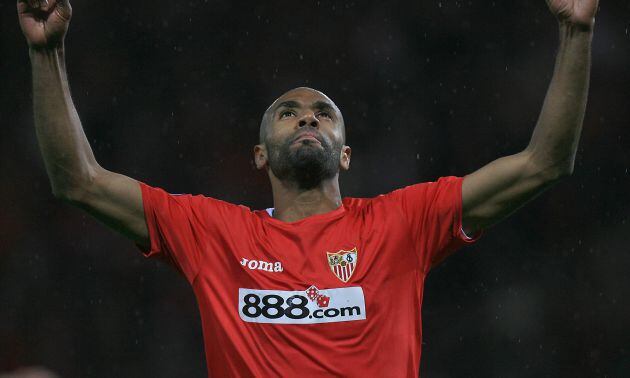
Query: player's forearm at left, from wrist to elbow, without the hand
(69, 160)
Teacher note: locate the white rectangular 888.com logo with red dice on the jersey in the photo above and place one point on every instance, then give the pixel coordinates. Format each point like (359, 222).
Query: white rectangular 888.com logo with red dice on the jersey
(310, 306)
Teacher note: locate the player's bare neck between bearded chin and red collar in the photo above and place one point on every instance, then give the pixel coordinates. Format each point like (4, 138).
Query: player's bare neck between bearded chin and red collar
(292, 204)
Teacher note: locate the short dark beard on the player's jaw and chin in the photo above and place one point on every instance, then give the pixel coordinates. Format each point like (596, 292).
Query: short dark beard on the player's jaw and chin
(305, 165)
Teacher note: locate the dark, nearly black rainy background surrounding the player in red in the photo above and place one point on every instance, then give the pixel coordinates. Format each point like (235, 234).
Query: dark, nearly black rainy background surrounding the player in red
(172, 93)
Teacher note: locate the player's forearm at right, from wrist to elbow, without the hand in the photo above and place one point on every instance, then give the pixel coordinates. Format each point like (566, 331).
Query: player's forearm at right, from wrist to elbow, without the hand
(555, 139)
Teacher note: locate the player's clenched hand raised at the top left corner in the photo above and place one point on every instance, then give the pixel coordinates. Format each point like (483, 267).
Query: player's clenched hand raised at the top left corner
(44, 22)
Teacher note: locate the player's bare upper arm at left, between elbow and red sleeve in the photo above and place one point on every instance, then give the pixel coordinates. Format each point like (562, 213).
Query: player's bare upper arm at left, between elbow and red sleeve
(115, 200)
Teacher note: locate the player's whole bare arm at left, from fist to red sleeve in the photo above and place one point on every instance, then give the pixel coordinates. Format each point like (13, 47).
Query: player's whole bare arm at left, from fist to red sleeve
(74, 174)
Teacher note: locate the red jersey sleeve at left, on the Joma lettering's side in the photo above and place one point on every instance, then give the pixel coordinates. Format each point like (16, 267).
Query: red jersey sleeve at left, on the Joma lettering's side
(183, 227)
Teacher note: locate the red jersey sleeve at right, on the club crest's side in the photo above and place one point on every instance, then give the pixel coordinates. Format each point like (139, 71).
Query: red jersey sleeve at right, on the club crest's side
(433, 211)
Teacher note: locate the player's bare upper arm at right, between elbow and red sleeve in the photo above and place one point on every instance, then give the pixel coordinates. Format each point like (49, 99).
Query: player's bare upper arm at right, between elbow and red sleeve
(496, 190)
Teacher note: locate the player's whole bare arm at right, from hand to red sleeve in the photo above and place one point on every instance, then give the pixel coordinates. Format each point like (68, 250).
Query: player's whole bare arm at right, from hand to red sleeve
(504, 185)
